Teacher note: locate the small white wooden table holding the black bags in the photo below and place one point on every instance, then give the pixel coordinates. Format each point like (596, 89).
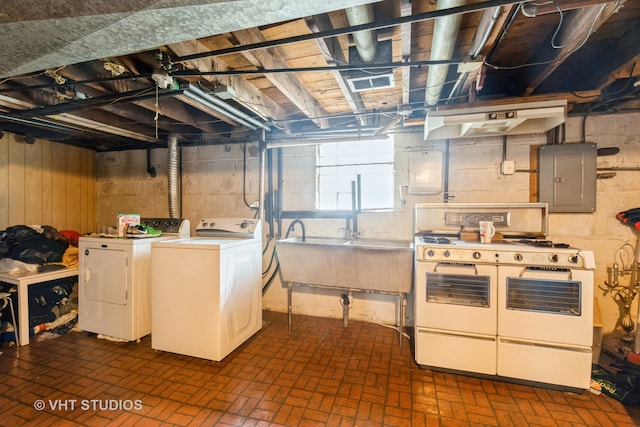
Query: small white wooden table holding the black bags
(22, 280)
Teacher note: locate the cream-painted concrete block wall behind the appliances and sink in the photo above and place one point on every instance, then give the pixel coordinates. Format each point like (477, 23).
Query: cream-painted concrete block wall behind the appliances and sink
(212, 183)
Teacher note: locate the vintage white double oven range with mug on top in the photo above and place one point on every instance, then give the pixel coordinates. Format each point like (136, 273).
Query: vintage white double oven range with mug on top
(519, 308)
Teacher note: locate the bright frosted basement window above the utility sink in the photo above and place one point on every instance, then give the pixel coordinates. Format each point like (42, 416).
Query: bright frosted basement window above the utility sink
(339, 163)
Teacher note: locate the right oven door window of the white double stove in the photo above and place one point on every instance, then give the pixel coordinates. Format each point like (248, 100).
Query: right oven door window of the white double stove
(546, 296)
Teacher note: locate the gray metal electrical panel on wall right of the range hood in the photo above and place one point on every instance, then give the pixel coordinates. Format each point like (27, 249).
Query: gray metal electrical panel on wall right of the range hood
(567, 177)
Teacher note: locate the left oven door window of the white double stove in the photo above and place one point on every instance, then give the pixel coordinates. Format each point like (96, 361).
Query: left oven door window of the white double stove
(456, 289)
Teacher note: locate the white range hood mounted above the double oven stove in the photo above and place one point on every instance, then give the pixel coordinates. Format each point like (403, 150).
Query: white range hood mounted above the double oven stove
(508, 119)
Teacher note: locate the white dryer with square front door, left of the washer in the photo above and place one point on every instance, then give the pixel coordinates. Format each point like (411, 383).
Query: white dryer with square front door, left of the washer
(114, 292)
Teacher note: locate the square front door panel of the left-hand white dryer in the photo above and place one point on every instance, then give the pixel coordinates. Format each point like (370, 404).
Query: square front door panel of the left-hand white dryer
(105, 275)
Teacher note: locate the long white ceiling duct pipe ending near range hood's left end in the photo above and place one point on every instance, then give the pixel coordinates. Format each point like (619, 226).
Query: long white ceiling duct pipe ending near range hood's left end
(445, 33)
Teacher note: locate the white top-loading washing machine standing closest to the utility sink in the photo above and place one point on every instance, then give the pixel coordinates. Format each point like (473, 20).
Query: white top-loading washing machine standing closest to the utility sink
(207, 290)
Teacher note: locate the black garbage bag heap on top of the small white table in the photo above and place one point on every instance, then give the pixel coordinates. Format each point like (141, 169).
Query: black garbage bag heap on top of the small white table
(25, 244)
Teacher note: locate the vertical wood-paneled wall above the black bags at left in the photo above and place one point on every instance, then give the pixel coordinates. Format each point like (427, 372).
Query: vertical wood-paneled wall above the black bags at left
(46, 183)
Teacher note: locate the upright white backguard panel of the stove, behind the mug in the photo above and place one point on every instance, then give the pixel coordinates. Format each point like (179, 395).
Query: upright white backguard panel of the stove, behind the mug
(510, 219)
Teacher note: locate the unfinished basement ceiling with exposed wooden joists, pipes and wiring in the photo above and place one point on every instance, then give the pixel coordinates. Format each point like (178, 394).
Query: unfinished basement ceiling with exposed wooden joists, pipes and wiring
(285, 69)
